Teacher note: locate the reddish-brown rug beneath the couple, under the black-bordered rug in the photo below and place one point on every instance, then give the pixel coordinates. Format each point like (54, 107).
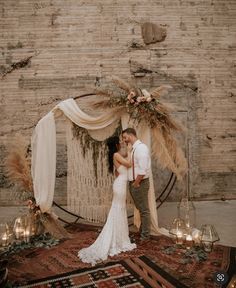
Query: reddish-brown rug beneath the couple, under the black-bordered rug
(39, 263)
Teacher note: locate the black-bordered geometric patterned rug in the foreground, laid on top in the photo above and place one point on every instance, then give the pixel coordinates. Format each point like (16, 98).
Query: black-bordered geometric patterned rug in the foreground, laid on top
(133, 272)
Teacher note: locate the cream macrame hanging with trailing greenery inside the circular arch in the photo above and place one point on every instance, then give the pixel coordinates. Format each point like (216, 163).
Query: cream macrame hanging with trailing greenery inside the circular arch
(89, 184)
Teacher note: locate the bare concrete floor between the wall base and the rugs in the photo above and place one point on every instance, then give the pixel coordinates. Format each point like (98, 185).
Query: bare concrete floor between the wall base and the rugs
(222, 214)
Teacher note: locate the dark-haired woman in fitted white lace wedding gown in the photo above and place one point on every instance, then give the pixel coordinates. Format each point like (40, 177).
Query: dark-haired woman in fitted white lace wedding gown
(114, 237)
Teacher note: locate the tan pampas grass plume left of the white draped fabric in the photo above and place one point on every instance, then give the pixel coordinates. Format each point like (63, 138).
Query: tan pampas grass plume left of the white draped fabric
(17, 165)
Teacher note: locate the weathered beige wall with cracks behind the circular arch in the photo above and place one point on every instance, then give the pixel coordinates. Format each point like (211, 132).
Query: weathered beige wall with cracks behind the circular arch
(75, 44)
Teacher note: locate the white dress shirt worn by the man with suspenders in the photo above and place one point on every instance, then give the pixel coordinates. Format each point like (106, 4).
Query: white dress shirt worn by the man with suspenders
(142, 160)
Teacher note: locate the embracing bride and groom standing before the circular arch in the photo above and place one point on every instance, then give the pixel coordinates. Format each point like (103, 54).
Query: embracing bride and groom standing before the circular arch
(135, 168)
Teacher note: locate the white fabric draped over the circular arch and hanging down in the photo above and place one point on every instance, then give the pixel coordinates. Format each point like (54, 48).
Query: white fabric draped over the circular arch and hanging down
(43, 144)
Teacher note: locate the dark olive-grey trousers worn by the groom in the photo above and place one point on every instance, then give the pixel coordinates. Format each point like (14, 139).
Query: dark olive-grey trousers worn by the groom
(140, 197)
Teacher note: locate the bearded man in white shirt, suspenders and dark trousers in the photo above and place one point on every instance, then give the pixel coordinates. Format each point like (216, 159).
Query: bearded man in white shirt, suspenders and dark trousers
(138, 176)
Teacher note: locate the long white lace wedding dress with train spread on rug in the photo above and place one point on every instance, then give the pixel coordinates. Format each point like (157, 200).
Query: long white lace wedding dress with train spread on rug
(114, 237)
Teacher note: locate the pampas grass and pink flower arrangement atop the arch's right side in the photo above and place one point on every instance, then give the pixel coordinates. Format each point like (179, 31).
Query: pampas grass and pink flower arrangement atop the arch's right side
(145, 106)
